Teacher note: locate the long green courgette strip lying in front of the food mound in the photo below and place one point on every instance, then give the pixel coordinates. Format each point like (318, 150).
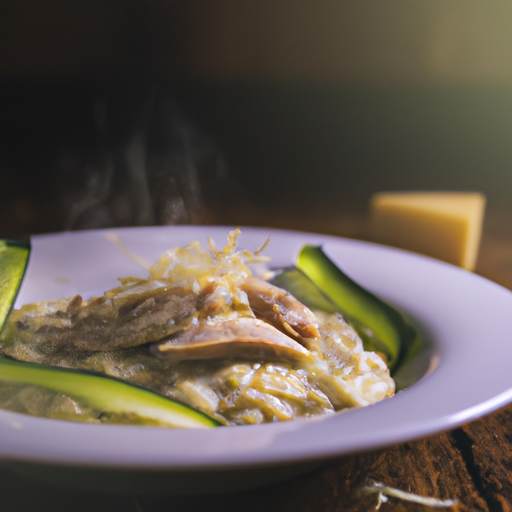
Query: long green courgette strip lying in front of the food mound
(106, 394)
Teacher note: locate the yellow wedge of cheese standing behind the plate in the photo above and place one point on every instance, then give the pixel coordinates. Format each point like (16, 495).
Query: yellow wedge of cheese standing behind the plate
(444, 225)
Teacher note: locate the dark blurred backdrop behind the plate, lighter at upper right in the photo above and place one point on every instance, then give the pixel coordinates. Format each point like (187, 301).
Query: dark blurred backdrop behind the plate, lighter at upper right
(287, 113)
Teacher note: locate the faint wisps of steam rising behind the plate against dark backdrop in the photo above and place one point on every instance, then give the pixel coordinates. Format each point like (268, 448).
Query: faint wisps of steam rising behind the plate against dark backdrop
(146, 172)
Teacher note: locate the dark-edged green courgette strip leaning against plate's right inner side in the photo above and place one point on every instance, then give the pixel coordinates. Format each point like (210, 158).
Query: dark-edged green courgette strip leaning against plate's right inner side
(384, 322)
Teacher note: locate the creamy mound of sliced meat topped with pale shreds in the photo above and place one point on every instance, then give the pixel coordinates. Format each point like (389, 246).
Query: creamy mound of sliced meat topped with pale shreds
(204, 331)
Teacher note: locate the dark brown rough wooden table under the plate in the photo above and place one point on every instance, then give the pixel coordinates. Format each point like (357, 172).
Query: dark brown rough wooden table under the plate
(472, 463)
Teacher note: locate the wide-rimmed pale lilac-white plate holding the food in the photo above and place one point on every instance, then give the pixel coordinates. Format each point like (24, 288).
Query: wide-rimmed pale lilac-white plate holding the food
(466, 317)
